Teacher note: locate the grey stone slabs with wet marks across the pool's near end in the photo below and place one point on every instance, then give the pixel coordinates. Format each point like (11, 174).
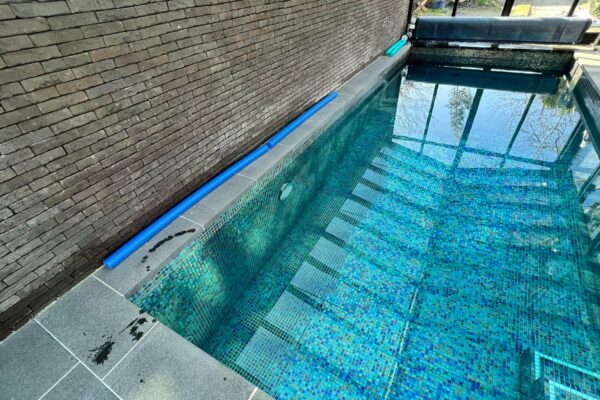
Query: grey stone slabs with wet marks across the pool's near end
(94, 343)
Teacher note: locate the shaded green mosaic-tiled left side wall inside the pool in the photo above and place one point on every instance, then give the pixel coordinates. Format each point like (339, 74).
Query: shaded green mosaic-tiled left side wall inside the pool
(195, 291)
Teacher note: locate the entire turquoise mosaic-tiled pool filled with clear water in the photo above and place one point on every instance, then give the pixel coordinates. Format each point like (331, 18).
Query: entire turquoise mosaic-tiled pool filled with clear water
(430, 244)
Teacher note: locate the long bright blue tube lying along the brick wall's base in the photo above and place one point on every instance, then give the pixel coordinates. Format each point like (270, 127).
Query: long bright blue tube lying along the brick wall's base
(159, 224)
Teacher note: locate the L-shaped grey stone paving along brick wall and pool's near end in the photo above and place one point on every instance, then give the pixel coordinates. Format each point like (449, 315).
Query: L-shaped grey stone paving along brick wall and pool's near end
(94, 343)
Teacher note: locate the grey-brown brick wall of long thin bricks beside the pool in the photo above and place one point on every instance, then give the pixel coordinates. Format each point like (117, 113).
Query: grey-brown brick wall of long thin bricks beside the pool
(111, 111)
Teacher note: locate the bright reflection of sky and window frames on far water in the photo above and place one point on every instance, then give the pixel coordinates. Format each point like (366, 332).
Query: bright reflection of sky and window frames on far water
(526, 128)
